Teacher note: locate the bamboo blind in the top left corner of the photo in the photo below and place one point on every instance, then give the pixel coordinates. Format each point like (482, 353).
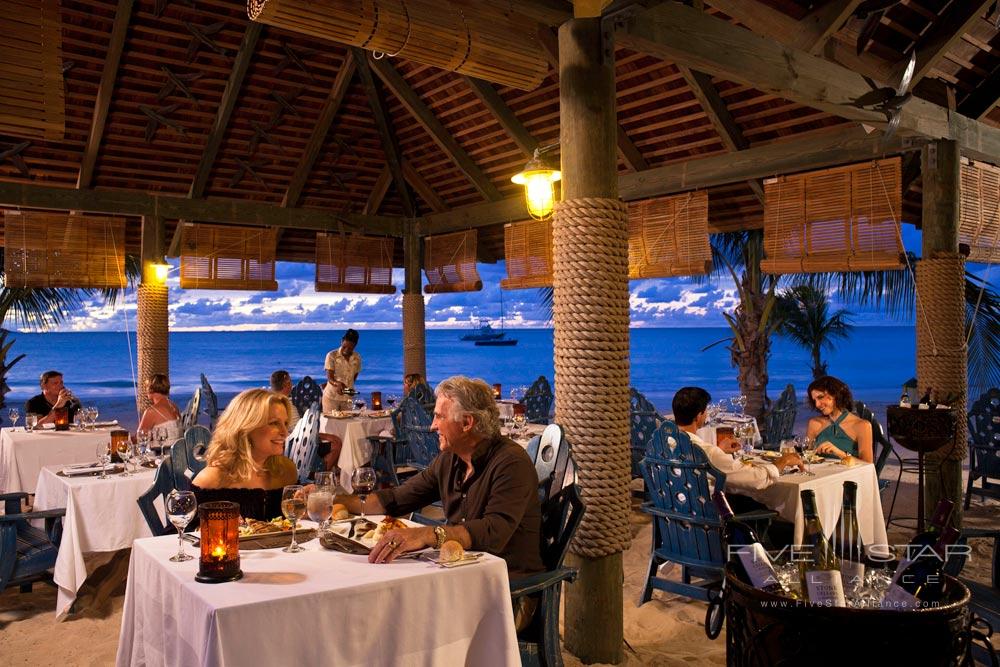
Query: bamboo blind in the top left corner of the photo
(32, 101)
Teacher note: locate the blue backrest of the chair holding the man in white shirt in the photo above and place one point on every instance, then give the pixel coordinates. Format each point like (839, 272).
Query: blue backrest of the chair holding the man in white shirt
(677, 473)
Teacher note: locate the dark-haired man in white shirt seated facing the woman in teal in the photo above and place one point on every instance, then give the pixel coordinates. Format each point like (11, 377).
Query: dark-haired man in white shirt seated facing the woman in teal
(690, 407)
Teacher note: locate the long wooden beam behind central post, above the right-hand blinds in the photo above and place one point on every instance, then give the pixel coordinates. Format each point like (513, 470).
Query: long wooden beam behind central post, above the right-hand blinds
(836, 147)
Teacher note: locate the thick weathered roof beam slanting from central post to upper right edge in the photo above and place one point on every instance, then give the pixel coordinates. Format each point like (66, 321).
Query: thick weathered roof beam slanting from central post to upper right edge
(686, 36)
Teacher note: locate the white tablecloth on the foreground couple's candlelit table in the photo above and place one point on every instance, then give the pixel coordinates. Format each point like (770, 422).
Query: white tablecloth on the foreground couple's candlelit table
(317, 607)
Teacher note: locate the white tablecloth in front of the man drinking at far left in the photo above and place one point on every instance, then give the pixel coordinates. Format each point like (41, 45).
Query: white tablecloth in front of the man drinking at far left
(23, 454)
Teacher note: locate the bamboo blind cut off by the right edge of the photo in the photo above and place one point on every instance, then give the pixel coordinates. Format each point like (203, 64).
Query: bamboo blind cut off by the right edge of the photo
(979, 225)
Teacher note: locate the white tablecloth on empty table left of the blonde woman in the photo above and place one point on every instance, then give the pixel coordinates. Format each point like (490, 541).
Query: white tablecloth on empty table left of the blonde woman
(101, 515)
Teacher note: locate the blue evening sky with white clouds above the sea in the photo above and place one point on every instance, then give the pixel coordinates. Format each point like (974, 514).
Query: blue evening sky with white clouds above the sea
(676, 302)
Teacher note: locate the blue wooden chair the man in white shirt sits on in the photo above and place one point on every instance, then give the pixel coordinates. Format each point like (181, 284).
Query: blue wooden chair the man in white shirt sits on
(686, 524)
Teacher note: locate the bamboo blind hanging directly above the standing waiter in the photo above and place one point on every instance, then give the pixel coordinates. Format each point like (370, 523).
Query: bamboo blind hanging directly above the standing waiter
(356, 264)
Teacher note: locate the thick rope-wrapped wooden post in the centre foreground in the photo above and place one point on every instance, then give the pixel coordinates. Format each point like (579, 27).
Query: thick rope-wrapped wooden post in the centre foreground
(591, 291)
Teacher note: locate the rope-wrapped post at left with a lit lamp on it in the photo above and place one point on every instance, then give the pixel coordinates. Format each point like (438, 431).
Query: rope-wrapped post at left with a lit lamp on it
(151, 310)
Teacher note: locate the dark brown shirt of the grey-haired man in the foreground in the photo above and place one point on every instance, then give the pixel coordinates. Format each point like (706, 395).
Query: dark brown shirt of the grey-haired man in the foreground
(498, 505)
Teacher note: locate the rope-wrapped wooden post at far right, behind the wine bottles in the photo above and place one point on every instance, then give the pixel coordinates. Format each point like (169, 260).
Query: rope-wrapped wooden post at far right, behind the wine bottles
(941, 353)
